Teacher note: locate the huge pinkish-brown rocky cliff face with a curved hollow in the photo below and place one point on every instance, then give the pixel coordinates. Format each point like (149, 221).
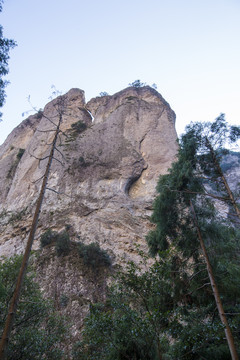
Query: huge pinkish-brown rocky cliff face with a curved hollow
(105, 184)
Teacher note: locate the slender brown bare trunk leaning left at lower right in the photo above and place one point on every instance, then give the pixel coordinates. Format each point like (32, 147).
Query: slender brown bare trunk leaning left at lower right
(218, 301)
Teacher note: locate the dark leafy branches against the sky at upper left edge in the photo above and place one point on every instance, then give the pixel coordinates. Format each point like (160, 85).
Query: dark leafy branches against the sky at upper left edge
(5, 46)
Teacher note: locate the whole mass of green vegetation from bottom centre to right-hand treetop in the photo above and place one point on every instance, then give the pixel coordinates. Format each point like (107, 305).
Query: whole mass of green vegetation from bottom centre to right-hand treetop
(169, 311)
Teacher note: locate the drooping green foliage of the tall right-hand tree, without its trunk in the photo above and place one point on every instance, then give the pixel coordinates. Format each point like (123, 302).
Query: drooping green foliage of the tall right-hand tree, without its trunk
(196, 168)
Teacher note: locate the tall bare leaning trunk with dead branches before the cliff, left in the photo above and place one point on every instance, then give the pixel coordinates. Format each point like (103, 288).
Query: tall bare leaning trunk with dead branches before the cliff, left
(14, 302)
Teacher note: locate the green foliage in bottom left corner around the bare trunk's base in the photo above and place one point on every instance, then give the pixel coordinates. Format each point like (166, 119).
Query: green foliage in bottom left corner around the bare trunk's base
(38, 331)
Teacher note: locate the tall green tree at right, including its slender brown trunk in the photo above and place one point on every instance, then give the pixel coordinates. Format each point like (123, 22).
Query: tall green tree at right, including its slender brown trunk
(186, 217)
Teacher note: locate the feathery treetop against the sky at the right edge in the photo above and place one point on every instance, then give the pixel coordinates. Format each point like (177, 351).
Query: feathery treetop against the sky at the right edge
(211, 140)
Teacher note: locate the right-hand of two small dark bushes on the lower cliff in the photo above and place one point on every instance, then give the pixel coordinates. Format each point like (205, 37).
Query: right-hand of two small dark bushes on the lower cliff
(93, 255)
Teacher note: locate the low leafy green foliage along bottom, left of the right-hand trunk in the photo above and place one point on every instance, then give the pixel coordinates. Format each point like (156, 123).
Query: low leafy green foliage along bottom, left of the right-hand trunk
(163, 312)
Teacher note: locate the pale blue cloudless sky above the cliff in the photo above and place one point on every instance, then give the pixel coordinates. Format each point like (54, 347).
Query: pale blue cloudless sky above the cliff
(188, 48)
